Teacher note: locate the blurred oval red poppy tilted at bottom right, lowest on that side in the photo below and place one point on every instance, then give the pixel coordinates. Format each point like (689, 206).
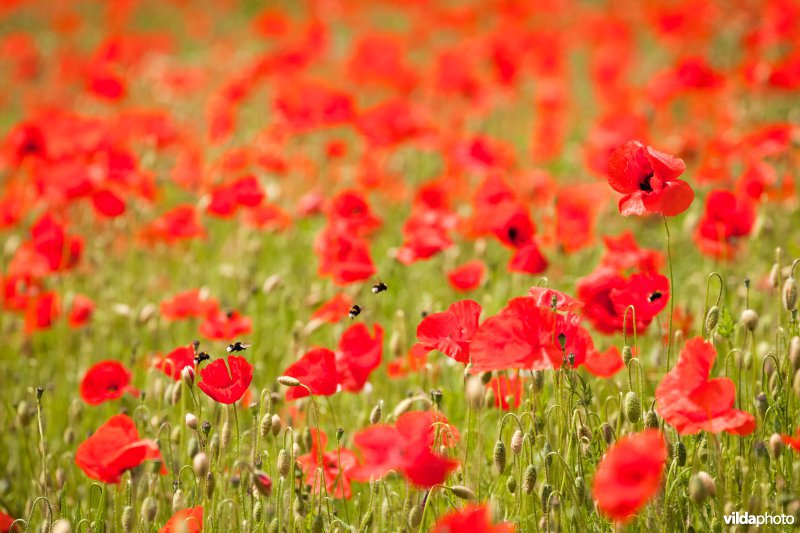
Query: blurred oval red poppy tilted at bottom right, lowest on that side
(629, 475)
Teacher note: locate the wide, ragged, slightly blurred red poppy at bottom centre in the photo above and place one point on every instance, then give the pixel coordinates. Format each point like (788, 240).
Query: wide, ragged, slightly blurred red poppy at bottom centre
(406, 448)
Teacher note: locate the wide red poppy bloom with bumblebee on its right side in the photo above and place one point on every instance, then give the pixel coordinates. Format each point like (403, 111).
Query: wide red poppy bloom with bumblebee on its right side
(607, 294)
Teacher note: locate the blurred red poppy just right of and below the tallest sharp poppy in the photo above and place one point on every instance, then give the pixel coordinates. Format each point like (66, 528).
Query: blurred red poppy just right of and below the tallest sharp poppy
(727, 217)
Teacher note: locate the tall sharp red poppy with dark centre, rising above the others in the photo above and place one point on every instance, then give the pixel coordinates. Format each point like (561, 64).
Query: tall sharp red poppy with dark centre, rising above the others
(649, 180)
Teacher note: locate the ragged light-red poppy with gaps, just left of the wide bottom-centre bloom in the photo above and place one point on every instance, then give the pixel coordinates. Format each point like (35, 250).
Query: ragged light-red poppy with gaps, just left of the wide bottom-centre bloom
(335, 466)
